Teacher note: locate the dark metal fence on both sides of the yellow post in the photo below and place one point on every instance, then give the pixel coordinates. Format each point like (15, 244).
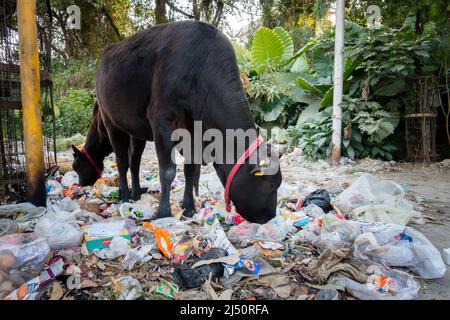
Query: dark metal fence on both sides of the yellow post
(12, 157)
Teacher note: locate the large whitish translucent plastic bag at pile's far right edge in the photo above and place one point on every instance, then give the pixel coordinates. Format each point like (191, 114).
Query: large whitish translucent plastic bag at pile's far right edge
(399, 246)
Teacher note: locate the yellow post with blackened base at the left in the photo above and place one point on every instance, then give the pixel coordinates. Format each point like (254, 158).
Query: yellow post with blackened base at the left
(31, 92)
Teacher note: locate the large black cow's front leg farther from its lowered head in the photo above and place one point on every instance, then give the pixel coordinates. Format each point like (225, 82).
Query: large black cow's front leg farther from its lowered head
(167, 168)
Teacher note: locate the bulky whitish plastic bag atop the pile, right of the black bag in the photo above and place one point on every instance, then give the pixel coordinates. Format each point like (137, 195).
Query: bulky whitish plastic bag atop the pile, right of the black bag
(369, 190)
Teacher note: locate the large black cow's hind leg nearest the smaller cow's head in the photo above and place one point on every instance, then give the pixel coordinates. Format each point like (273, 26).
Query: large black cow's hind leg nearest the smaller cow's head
(121, 144)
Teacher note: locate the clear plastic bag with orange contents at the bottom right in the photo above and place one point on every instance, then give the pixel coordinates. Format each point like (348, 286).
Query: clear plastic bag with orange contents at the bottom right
(389, 285)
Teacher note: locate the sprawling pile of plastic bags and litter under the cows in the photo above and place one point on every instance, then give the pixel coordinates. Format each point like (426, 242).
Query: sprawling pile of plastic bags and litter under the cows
(323, 244)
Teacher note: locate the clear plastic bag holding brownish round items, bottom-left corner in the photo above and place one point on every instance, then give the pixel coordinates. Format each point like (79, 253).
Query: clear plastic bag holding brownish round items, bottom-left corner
(22, 257)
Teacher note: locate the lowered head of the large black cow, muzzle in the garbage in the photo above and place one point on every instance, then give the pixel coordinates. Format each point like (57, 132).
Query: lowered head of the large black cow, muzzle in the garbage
(254, 189)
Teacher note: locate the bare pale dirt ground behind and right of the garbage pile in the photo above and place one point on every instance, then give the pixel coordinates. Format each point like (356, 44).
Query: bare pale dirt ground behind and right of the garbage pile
(426, 186)
